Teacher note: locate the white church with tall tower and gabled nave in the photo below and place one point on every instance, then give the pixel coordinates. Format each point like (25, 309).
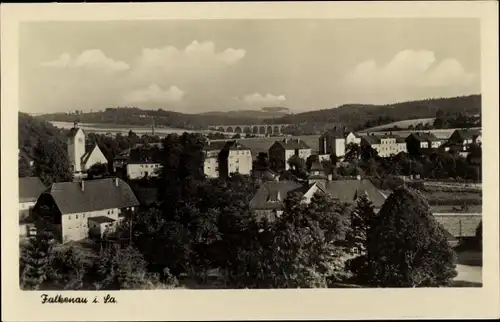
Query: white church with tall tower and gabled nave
(81, 156)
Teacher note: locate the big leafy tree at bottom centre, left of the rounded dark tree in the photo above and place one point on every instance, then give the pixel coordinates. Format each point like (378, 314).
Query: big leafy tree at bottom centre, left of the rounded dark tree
(298, 249)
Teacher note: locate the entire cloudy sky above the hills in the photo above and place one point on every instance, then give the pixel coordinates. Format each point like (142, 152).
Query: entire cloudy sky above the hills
(219, 65)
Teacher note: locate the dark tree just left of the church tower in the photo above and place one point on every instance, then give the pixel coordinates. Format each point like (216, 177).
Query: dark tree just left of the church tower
(51, 162)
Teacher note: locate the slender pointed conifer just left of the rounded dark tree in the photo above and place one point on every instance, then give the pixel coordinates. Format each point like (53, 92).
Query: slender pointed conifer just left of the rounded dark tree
(361, 218)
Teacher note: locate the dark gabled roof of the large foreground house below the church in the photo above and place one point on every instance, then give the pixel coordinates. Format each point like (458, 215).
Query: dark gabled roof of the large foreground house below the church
(97, 194)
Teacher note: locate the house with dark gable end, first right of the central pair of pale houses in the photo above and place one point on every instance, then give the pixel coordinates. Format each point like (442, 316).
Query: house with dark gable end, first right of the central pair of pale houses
(281, 152)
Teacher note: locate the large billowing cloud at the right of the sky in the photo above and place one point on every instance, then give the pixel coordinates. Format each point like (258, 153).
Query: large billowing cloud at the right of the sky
(410, 68)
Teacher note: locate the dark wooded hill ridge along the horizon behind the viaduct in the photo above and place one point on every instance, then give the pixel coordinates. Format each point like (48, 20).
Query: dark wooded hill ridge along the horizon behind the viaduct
(357, 116)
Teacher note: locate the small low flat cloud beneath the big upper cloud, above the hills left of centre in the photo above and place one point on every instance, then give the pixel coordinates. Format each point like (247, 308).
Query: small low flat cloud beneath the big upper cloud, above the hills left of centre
(154, 94)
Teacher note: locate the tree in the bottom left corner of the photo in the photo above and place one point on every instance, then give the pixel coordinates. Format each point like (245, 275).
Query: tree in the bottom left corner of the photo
(35, 260)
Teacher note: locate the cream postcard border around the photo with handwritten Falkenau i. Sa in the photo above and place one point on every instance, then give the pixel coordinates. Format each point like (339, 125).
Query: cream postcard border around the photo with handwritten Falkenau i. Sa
(271, 304)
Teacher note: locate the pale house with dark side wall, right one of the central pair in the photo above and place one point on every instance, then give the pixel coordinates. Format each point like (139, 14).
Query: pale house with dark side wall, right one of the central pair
(235, 158)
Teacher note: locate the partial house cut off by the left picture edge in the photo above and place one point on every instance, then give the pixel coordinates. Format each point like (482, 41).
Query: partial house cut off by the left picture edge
(30, 188)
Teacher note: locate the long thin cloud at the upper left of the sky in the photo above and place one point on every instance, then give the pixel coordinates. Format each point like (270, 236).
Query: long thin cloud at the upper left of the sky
(92, 58)
